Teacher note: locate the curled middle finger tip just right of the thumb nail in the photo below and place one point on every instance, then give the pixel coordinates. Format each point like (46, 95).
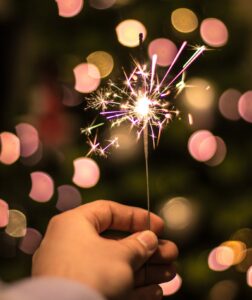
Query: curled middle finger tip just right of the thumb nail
(166, 252)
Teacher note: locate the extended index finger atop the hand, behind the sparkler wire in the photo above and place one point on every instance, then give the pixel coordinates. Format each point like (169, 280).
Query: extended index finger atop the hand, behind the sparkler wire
(111, 215)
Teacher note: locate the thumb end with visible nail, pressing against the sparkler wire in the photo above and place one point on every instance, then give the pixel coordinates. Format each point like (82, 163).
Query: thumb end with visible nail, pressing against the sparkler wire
(140, 247)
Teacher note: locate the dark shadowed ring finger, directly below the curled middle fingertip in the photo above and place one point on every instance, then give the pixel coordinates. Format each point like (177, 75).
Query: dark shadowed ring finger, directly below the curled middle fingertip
(151, 274)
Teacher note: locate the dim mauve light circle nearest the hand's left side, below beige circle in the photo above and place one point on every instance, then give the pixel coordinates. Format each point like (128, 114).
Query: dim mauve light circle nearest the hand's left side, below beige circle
(31, 241)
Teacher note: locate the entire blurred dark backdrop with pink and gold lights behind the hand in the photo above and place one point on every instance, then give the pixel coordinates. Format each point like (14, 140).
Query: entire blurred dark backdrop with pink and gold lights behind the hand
(54, 53)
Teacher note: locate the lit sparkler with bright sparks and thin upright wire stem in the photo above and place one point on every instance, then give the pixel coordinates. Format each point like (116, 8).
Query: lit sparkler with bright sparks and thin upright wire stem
(143, 102)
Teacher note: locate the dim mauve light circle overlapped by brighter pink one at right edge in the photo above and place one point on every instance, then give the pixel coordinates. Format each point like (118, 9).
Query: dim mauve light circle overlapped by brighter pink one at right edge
(228, 104)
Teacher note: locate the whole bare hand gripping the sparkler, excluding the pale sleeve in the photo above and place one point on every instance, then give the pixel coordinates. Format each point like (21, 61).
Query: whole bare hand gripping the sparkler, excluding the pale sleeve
(74, 248)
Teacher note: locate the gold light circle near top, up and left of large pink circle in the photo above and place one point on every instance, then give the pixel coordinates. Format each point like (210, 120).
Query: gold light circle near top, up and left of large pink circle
(184, 20)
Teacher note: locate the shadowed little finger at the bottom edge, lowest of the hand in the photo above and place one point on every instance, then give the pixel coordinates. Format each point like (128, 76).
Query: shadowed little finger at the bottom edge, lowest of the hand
(153, 292)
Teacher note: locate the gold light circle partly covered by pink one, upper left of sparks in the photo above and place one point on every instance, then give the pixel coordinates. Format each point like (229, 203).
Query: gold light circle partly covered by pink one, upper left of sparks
(103, 61)
